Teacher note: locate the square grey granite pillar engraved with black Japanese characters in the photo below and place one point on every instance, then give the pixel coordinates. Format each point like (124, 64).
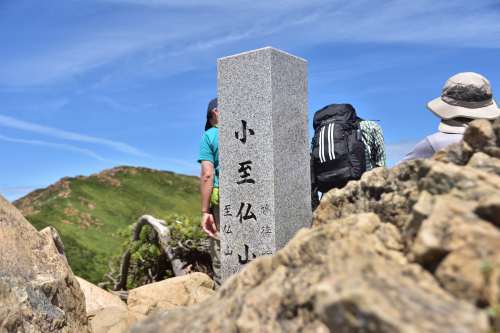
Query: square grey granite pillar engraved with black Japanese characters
(264, 154)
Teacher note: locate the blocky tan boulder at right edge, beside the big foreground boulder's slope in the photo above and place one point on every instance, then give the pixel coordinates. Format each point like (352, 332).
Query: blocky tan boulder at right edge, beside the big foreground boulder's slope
(462, 249)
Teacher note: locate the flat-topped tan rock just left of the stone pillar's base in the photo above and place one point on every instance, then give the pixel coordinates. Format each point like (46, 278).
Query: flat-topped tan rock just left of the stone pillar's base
(169, 294)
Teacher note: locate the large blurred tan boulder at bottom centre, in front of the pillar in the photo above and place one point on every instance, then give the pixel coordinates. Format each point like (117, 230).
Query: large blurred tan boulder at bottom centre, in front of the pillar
(347, 276)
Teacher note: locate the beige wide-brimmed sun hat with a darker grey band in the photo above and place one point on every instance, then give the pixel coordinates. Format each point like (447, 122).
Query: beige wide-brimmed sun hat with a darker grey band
(467, 95)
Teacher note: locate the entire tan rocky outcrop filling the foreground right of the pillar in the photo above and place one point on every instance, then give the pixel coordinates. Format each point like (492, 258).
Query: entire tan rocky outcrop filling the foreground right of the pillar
(410, 249)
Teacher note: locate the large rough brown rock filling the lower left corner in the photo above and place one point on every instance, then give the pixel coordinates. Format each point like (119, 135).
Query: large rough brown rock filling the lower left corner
(38, 292)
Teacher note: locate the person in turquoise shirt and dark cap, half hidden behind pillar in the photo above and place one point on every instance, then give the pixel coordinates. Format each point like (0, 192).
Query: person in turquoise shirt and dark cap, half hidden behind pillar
(209, 184)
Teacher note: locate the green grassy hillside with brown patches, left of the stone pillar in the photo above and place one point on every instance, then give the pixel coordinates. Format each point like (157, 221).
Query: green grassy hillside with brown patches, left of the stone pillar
(90, 211)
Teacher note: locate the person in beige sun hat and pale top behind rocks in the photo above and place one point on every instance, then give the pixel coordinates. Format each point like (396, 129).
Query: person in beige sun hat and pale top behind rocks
(465, 97)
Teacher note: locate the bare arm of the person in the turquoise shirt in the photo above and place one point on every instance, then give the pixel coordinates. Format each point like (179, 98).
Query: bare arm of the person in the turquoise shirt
(206, 187)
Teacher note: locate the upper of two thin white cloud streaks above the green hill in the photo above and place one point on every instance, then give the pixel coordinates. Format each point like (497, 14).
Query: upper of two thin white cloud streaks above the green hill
(69, 136)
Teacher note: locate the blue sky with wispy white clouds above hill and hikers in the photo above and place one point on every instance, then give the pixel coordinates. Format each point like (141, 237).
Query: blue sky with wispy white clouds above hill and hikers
(86, 85)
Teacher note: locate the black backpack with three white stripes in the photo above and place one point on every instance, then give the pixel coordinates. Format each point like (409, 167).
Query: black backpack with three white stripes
(338, 152)
